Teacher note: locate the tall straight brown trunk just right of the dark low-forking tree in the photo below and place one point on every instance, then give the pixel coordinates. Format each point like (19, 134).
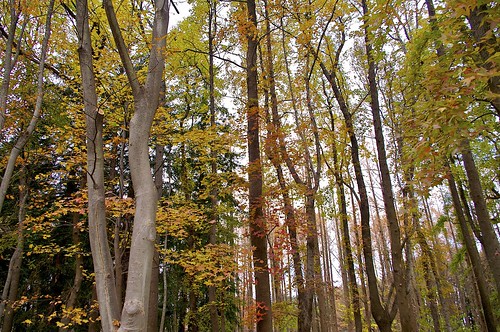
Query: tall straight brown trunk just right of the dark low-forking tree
(407, 318)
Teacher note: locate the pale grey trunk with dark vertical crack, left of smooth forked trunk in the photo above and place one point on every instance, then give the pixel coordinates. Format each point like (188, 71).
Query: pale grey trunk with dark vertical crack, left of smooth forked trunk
(103, 264)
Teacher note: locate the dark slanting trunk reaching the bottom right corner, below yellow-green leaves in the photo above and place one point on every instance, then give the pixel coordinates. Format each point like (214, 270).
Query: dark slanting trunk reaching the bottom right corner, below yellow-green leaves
(474, 257)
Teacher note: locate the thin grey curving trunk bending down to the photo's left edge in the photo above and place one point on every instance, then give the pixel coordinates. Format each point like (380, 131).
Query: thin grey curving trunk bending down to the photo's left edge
(28, 132)
